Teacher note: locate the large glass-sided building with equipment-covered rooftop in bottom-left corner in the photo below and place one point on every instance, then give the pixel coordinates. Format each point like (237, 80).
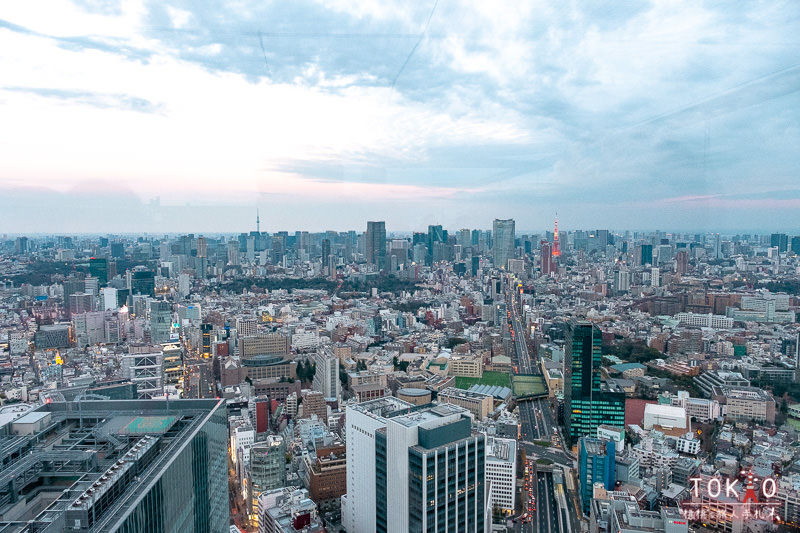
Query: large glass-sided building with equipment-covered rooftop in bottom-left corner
(148, 466)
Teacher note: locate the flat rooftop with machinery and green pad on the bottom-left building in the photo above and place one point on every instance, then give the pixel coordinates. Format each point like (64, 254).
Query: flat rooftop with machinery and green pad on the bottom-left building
(90, 445)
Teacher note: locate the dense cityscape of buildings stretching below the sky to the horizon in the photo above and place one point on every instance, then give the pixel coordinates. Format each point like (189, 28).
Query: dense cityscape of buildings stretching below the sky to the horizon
(482, 380)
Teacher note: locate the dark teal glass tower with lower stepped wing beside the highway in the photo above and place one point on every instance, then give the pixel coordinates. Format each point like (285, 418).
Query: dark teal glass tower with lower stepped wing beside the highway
(588, 402)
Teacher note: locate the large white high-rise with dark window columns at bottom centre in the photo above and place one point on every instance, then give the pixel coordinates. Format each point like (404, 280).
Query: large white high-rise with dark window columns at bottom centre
(418, 469)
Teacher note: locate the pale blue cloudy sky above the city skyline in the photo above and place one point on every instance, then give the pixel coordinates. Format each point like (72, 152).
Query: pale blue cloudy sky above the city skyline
(190, 116)
